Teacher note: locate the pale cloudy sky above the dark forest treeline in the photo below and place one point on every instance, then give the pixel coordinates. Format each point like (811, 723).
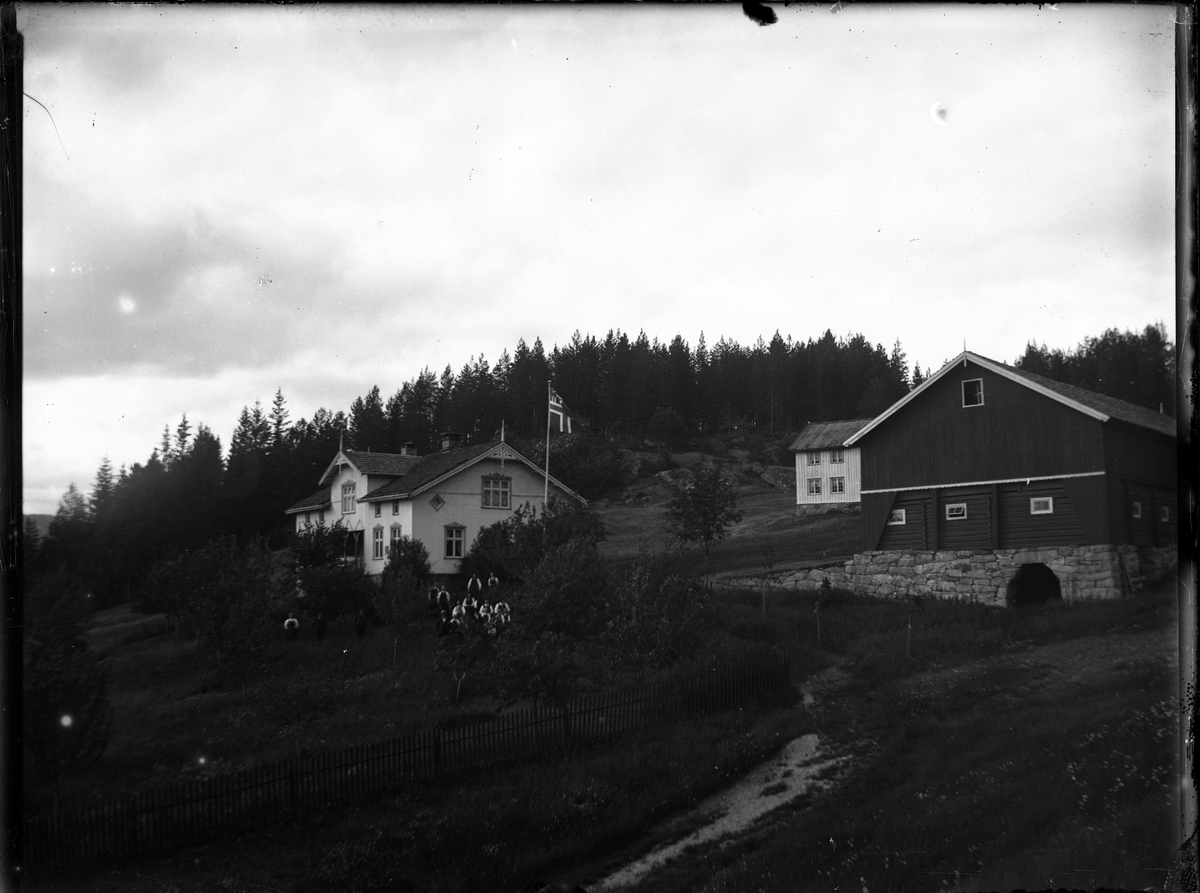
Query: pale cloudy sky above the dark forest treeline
(236, 200)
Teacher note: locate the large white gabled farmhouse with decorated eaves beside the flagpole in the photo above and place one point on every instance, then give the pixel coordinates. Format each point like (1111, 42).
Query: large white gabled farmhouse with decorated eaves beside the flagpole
(442, 500)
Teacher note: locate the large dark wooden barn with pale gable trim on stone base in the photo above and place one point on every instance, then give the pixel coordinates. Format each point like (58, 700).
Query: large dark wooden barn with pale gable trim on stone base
(1006, 470)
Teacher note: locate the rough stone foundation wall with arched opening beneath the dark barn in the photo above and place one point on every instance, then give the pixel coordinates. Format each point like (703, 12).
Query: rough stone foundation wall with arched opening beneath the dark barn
(1083, 572)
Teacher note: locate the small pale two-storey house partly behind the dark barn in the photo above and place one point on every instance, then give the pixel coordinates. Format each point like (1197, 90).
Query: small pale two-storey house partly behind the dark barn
(827, 472)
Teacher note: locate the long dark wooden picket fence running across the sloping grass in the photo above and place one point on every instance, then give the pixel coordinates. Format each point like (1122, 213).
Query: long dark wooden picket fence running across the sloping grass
(171, 817)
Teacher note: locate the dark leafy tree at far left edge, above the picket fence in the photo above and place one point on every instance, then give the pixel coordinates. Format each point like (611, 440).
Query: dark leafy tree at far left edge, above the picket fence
(68, 717)
